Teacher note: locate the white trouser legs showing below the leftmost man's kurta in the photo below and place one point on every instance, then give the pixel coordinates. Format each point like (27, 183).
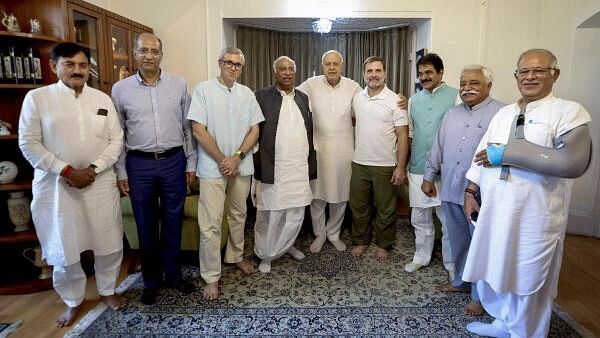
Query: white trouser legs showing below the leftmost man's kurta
(69, 281)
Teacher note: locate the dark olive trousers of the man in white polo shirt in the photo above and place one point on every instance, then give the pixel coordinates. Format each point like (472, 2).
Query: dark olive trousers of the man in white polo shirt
(366, 183)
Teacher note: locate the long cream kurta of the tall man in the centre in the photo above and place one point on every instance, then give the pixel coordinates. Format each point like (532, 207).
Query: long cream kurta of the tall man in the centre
(333, 135)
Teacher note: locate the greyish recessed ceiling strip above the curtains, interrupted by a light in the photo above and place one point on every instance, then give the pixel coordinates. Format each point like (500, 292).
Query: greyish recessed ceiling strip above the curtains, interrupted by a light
(339, 25)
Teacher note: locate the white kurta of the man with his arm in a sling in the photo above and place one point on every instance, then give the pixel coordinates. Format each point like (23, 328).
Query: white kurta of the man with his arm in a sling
(522, 220)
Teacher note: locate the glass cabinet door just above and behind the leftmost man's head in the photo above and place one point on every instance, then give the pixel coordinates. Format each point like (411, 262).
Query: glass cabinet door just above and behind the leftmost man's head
(87, 31)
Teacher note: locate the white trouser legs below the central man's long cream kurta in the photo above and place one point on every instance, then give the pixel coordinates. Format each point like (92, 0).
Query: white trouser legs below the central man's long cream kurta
(334, 223)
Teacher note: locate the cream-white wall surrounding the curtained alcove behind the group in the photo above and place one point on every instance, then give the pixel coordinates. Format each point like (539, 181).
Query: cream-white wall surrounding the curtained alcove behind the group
(491, 32)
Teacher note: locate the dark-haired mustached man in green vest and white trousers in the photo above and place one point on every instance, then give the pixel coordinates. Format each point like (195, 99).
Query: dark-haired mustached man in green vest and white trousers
(426, 111)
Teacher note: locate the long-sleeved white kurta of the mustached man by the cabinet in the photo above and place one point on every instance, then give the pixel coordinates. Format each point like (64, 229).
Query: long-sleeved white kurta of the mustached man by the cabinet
(56, 129)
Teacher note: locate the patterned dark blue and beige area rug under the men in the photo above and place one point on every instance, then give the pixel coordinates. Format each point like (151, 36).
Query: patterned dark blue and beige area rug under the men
(326, 294)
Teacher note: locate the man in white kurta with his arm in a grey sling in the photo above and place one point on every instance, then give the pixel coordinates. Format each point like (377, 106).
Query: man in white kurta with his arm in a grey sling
(516, 250)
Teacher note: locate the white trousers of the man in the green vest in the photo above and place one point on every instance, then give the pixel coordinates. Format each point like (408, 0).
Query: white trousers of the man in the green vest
(422, 221)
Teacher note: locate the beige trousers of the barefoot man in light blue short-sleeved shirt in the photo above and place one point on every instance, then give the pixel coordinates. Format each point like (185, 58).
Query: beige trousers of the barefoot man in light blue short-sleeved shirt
(216, 196)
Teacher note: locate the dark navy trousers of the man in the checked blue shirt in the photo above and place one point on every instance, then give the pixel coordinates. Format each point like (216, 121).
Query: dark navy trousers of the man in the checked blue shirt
(157, 192)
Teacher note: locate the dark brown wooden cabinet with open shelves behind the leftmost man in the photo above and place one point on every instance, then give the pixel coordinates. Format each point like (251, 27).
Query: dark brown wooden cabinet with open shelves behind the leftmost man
(109, 38)
